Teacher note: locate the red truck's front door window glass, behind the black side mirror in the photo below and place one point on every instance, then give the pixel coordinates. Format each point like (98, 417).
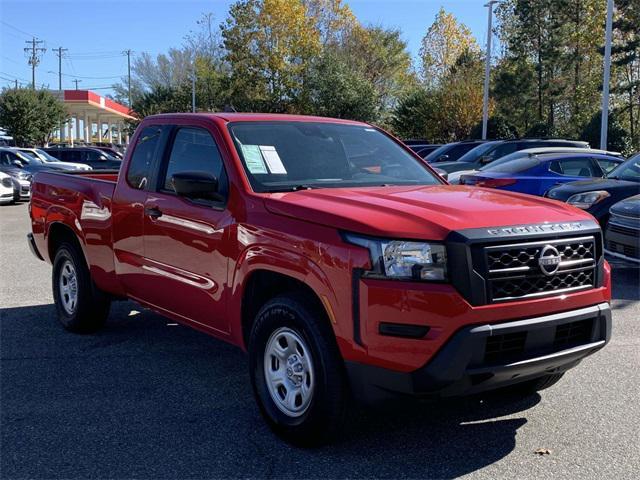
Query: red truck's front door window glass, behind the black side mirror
(194, 150)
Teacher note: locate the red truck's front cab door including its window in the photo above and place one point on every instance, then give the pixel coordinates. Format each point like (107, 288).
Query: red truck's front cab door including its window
(186, 241)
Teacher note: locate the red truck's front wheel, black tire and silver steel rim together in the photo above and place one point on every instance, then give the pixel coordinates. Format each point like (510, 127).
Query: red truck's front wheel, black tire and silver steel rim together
(296, 372)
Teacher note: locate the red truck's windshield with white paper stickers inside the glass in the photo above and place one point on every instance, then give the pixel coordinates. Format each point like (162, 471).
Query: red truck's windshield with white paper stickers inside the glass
(284, 156)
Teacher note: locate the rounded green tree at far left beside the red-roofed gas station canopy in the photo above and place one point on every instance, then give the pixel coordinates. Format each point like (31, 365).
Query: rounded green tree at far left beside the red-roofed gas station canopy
(30, 116)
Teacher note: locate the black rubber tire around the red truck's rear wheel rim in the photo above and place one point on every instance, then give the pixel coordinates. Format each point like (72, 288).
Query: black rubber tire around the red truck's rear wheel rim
(91, 307)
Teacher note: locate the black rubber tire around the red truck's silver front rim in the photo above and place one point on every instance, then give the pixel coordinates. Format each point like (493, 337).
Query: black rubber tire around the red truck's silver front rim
(323, 418)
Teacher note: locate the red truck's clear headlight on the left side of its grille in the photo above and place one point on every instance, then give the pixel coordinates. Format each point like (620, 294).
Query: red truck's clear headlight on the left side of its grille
(403, 259)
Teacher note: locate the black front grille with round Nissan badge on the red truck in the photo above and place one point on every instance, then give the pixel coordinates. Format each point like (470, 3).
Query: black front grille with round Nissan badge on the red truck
(516, 271)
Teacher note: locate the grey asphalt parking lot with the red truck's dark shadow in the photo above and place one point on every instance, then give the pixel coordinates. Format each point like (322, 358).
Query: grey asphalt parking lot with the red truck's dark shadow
(146, 399)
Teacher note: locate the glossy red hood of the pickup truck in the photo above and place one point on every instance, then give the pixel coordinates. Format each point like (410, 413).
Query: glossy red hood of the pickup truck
(425, 212)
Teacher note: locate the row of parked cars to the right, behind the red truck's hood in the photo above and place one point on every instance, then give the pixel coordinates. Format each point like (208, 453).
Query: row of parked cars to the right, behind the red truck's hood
(598, 181)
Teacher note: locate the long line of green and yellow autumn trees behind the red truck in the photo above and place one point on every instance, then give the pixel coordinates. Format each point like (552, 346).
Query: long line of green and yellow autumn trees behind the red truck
(315, 57)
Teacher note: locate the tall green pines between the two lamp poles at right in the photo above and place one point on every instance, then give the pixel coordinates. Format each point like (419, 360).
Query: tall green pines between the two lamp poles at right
(551, 64)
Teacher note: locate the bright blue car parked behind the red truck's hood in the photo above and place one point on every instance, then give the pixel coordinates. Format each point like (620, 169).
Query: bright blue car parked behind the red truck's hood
(535, 174)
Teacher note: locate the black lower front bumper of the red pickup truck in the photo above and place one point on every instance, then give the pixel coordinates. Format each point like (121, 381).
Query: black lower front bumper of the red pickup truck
(489, 356)
